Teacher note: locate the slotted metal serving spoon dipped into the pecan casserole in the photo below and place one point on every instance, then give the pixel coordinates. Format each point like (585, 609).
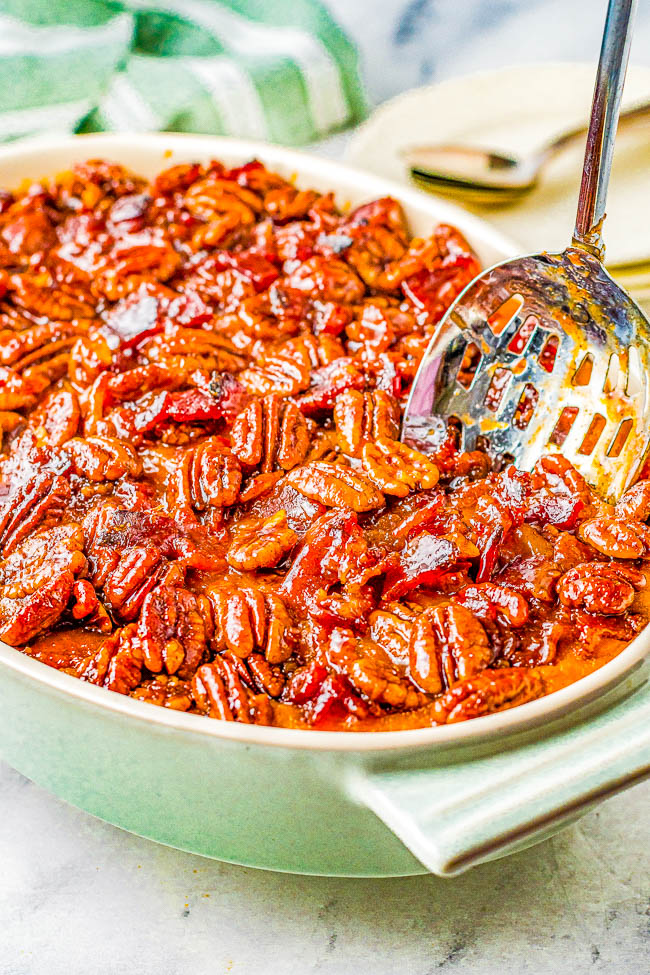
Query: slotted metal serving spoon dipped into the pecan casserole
(547, 352)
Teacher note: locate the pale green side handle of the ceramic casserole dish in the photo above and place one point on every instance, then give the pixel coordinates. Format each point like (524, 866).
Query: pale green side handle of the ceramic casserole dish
(456, 815)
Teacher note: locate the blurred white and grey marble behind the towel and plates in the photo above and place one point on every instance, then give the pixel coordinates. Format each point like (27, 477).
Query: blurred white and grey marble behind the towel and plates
(404, 43)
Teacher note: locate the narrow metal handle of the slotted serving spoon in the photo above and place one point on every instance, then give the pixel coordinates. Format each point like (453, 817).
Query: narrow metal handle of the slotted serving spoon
(610, 79)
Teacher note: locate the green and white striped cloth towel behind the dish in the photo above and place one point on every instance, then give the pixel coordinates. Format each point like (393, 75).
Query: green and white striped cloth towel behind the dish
(280, 70)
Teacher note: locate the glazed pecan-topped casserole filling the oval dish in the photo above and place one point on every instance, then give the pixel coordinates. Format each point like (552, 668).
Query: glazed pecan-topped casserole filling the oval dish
(204, 501)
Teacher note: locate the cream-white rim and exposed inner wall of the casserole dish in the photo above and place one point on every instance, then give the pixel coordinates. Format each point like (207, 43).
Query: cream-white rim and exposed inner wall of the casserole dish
(147, 155)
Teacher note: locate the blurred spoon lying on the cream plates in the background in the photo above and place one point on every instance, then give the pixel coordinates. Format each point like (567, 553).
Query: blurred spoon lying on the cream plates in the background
(489, 177)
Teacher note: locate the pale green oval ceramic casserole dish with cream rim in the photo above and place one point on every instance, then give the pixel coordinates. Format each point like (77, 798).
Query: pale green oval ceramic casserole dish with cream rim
(369, 804)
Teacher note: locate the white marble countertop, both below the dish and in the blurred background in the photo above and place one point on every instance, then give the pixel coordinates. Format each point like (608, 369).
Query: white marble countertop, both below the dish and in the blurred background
(79, 897)
